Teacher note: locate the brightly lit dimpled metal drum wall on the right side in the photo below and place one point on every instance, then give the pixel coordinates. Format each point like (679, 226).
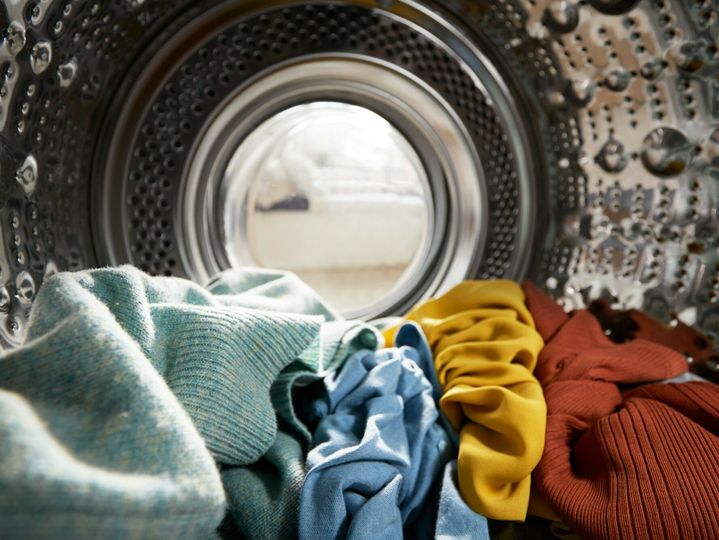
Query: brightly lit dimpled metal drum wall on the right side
(643, 230)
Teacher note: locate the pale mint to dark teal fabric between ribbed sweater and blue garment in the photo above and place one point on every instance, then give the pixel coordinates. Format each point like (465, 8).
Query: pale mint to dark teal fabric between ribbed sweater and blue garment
(275, 480)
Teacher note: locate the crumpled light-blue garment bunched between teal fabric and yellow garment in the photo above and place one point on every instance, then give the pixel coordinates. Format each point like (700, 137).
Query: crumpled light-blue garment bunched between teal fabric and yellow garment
(379, 448)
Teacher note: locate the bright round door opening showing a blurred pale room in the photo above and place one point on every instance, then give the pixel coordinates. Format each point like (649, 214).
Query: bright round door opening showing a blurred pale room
(336, 194)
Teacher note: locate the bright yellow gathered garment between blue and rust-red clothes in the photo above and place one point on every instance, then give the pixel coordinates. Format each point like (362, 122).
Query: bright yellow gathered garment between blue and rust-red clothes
(485, 349)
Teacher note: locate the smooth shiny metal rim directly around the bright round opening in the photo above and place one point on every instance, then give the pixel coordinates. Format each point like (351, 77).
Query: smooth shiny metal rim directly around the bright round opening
(455, 180)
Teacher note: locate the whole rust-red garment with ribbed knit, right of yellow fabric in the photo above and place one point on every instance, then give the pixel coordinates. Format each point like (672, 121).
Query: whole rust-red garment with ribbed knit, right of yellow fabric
(636, 465)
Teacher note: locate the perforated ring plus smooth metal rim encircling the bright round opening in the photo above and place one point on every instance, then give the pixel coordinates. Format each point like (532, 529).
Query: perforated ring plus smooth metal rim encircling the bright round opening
(387, 80)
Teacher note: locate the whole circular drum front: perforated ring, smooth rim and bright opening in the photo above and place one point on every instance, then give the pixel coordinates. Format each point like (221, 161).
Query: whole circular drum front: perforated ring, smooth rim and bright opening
(381, 175)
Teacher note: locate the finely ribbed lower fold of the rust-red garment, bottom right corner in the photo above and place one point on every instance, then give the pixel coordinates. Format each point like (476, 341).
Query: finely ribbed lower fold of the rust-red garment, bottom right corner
(642, 466)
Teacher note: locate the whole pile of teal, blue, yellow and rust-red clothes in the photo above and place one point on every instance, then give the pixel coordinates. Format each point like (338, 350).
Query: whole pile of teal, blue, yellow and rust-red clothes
(143, 407)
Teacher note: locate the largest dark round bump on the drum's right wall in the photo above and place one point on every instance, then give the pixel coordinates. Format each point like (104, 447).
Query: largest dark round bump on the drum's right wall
(666, 152)
